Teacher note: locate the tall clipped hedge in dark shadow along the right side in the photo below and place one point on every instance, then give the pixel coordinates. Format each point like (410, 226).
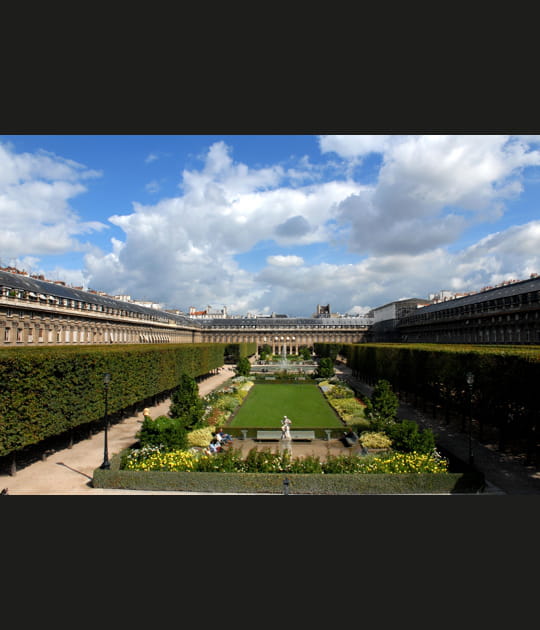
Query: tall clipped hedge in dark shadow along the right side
(504, 392)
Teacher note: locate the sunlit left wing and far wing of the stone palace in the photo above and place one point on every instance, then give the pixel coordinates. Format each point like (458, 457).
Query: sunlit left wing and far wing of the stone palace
(35, 312)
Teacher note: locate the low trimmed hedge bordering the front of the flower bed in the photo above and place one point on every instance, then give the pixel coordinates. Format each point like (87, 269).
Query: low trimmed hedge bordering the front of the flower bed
(298, 483)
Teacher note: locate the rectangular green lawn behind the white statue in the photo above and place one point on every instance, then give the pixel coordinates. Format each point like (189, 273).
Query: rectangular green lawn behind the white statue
(266, 405)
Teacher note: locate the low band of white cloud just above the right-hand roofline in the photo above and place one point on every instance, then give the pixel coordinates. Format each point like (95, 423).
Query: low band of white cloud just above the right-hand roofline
(380, 279)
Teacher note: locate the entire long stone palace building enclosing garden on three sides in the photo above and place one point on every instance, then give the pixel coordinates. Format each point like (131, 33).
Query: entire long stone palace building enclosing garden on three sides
(36, 312)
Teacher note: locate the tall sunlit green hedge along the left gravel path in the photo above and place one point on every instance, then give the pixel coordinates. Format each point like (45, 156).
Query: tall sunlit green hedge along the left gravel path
(46, 391)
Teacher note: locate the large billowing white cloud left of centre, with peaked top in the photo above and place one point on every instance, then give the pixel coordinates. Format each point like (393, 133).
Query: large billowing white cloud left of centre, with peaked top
(190, 242)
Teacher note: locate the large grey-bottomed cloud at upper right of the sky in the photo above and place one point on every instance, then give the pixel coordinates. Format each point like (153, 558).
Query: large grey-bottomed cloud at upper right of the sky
(430, 188)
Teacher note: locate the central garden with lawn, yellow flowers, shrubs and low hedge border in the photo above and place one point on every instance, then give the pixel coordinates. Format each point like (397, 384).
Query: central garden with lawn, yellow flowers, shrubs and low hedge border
(172, 452)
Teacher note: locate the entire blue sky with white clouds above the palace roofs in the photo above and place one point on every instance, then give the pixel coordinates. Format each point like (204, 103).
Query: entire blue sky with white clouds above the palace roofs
(272, 223)
